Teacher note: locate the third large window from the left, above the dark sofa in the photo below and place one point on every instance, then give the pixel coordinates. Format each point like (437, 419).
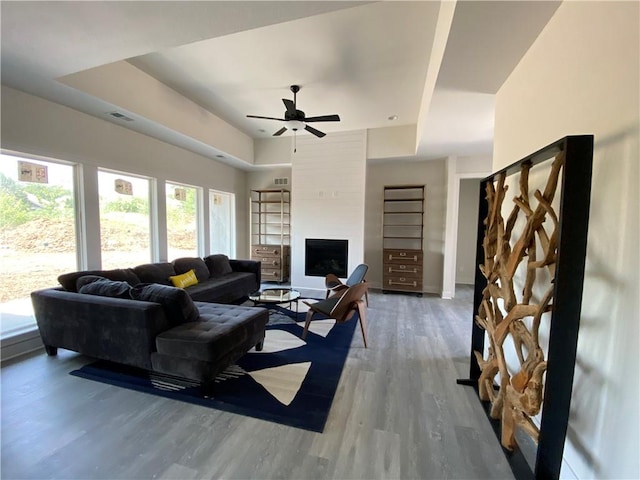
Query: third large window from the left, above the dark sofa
(182, 221)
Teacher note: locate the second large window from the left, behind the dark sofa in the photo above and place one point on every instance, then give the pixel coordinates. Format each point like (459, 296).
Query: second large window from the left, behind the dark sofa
(124, 220)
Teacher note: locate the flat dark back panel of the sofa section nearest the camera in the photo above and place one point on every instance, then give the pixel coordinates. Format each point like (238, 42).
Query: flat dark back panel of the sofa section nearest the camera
(115, 329)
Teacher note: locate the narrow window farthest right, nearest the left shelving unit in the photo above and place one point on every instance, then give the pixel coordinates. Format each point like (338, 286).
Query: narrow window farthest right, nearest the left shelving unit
(222, 223)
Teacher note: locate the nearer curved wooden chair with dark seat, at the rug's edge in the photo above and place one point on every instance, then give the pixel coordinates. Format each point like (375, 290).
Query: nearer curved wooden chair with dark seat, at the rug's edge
(342, 308)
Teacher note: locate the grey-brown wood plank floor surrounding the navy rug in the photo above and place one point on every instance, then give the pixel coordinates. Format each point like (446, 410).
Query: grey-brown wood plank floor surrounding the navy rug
(398, 413)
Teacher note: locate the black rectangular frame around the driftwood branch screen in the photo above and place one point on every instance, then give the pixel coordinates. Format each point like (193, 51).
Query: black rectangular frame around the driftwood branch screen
(573, 219)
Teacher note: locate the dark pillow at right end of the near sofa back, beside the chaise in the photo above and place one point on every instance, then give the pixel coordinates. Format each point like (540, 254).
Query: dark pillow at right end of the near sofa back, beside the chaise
(177, 304)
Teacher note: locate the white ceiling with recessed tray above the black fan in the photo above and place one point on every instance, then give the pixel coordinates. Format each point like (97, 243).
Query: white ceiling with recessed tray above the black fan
(365, 61)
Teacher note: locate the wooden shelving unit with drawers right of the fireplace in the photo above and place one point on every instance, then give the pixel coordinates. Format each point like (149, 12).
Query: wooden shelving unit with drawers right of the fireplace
(402, 238)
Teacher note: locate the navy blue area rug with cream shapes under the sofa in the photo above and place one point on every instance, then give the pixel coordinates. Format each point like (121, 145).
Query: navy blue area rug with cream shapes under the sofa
(290, 381)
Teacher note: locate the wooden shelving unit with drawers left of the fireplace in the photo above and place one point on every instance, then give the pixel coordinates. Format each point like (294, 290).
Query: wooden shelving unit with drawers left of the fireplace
(270, 232)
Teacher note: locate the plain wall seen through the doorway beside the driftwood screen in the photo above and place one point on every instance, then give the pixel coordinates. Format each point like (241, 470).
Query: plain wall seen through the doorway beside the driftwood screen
(467, 231)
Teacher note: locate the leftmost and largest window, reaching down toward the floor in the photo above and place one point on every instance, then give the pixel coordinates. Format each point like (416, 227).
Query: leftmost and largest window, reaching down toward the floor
(37, 234)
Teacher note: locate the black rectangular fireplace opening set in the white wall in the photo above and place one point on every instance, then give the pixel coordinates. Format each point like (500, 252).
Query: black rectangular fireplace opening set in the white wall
(323, 256)
